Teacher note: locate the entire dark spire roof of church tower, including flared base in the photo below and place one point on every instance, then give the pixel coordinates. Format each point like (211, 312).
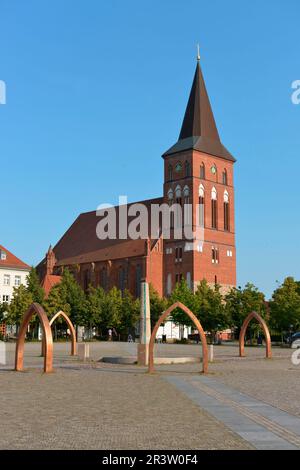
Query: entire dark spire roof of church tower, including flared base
(199, 130)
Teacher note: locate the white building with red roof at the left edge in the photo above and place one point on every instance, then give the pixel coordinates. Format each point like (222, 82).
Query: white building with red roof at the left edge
(13, 273)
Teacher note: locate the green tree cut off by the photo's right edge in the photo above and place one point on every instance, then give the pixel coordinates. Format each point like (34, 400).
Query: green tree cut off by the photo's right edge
(285, 306)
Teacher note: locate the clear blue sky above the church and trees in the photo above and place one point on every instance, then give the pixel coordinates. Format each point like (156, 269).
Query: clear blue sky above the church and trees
(96, 92)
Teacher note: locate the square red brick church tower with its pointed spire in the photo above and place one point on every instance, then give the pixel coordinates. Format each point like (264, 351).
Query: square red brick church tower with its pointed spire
(198, 170)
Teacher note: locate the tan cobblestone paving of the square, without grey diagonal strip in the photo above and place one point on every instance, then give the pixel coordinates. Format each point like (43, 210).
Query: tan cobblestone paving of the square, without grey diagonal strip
(98, 406)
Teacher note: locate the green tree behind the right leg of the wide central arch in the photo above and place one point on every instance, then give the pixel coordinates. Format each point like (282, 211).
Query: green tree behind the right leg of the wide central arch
(210, 308)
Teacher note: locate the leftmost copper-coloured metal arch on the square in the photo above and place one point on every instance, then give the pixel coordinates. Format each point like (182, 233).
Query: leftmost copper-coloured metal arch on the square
(47, 334)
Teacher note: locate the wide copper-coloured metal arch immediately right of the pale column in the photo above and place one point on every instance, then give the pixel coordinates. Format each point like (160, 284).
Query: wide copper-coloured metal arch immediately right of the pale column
(197, 325)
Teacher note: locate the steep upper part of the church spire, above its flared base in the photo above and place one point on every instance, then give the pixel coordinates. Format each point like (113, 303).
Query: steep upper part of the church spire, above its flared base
(199, 120)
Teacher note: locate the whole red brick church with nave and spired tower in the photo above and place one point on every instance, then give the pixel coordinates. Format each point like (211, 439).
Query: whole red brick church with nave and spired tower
(198, 170)
